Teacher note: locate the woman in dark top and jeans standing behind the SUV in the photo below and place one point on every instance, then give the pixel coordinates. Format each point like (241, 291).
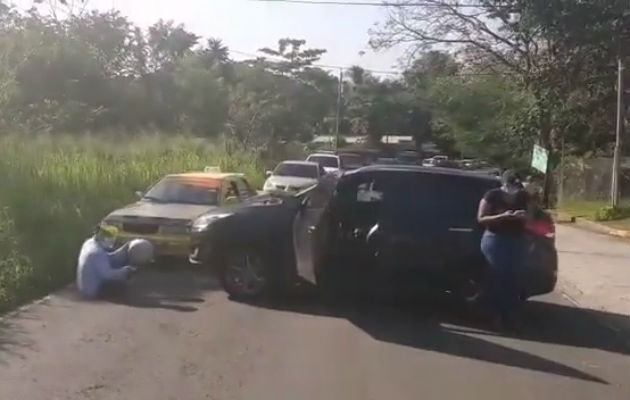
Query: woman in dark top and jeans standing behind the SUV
(503, 213)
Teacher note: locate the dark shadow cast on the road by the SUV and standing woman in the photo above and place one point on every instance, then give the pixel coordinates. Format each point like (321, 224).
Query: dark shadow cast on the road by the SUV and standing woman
(445, 327)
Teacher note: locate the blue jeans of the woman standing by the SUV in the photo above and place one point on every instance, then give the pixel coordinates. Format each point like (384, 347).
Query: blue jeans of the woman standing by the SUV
(505, 255)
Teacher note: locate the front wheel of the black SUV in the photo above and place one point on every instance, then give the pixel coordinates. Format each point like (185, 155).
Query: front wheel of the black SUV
(245, 275)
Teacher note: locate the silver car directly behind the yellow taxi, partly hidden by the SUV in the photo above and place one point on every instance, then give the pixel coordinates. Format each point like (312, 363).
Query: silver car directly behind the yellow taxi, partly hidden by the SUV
(294, 176)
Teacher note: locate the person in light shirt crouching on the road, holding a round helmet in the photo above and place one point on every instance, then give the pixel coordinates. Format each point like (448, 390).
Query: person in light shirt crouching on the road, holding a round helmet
(101, 271)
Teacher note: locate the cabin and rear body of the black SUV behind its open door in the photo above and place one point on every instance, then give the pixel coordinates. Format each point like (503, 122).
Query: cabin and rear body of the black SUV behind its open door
(396, 227)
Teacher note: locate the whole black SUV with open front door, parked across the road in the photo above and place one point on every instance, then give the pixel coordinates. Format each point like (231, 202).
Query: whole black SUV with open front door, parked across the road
(380, 227)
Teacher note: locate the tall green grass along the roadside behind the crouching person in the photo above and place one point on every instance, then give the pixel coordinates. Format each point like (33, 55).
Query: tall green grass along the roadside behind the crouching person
(54, 190)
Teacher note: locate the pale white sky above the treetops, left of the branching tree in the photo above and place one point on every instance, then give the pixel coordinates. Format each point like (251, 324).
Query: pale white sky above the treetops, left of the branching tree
(248, 25)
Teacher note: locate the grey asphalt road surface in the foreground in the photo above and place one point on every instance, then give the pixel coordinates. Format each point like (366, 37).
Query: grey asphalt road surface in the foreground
(179, 337)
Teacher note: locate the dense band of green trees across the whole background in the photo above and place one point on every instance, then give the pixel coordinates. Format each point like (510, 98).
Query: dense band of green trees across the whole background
(484, 79)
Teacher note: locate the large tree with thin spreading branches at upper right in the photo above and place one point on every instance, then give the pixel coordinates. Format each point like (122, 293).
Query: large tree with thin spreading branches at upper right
(553, 50)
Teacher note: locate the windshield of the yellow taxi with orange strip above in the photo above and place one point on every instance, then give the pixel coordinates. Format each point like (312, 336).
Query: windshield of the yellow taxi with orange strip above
(173, 190)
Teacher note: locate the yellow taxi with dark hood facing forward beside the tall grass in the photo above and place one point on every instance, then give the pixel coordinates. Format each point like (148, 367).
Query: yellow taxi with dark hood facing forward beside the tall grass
(164, 214)
